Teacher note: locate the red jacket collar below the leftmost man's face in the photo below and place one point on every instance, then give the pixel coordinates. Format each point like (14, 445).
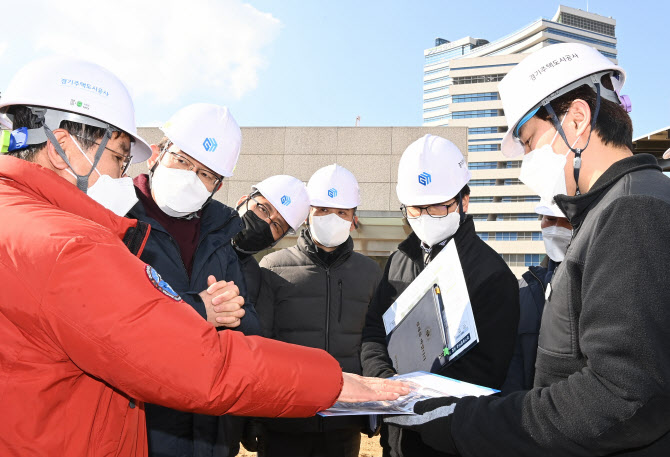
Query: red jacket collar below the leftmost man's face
(47, 186)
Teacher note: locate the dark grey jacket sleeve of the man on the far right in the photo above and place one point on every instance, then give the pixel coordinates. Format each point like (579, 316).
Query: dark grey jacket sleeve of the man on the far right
(620, 400)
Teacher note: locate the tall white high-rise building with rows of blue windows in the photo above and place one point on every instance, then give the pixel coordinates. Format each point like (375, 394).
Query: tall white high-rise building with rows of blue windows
(460, 89)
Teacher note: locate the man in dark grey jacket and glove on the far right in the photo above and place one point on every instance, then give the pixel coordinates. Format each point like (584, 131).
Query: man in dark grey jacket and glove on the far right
(602, 381)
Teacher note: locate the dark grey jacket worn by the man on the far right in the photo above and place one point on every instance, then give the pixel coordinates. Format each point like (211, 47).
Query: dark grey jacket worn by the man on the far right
(602, 382)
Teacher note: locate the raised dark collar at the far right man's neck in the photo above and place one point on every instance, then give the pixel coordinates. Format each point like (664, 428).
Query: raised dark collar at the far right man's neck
(576, 208)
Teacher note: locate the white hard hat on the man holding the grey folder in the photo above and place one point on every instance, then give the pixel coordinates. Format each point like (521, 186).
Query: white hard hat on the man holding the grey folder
(431, 170)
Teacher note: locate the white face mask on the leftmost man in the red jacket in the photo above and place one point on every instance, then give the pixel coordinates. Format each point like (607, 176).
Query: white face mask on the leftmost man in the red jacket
(115, 194)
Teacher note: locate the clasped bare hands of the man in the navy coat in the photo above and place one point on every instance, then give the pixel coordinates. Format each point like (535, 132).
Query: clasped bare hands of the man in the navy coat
(223, 303)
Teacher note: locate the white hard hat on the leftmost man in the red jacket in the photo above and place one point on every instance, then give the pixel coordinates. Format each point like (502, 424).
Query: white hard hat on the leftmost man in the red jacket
(81, 91)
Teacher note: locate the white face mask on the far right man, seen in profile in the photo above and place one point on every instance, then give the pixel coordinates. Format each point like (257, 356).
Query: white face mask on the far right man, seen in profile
(544, 171)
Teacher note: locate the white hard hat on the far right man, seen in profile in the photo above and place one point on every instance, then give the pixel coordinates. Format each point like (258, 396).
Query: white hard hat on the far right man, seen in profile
(547, 74)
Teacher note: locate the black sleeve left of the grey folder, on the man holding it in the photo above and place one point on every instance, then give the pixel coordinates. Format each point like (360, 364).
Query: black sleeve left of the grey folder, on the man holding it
(375, 360)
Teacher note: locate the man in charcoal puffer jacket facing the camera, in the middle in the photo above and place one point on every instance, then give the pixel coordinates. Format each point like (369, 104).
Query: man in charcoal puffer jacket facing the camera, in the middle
(316, 294)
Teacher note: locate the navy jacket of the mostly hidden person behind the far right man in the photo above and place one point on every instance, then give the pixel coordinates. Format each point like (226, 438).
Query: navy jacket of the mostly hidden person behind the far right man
(532, 287)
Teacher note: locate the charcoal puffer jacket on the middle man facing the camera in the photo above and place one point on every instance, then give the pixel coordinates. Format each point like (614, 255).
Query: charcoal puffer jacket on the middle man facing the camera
(304, 301)
